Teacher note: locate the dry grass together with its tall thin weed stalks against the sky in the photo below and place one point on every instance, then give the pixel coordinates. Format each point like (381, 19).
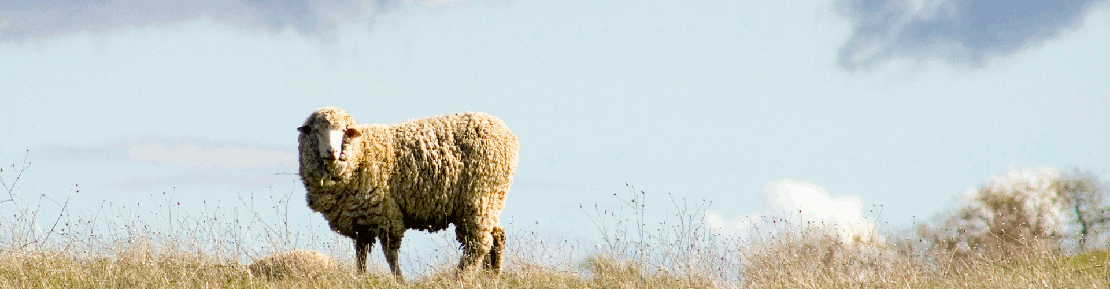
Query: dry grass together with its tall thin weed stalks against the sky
(113, 251)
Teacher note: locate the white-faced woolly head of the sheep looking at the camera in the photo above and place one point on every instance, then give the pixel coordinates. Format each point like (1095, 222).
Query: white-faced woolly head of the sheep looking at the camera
(327, 137)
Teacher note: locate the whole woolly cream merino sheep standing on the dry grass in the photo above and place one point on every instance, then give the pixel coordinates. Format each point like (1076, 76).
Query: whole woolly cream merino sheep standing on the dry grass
(379, 181)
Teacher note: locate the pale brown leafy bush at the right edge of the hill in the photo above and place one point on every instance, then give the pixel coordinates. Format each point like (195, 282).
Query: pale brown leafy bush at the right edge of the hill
(1034, 210)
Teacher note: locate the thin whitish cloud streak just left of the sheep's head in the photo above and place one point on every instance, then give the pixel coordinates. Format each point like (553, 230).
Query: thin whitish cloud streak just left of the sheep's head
(229, 157)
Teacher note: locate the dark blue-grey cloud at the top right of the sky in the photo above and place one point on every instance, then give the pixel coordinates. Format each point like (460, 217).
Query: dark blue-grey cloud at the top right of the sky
(964, 32)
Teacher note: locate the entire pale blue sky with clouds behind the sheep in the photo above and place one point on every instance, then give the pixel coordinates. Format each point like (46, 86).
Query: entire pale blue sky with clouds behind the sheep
(884, 111)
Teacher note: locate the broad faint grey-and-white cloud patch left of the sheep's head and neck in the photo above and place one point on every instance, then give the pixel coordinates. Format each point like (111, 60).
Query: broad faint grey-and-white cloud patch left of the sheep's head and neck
(157, 164)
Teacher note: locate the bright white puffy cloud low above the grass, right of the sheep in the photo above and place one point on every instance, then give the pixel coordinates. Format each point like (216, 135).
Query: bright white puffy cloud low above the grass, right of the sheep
(793, 205)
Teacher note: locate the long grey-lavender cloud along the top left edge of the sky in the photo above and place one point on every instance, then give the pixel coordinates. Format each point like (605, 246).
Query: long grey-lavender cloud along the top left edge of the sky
(38, 19)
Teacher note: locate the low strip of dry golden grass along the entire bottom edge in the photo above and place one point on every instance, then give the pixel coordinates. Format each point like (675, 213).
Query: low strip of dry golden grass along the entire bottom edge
(788, 263)
